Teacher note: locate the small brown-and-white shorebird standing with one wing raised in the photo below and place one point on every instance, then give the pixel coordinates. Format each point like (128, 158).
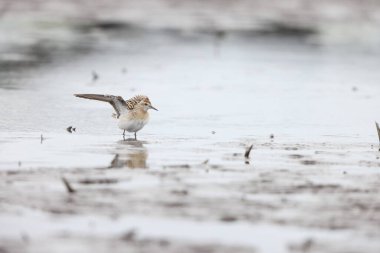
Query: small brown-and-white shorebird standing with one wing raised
(132, 114)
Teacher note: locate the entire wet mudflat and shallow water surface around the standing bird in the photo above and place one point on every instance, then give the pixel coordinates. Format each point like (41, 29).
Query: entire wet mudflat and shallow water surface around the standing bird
(311, 183)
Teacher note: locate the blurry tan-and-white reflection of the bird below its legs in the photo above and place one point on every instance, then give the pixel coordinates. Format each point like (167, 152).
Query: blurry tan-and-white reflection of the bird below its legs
(129, 153)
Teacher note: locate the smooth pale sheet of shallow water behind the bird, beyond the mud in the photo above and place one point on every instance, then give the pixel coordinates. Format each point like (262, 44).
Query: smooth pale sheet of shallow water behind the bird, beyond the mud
(243, 89)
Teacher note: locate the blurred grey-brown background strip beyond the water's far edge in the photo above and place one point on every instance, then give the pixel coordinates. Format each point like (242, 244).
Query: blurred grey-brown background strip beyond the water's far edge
(352, 24)
